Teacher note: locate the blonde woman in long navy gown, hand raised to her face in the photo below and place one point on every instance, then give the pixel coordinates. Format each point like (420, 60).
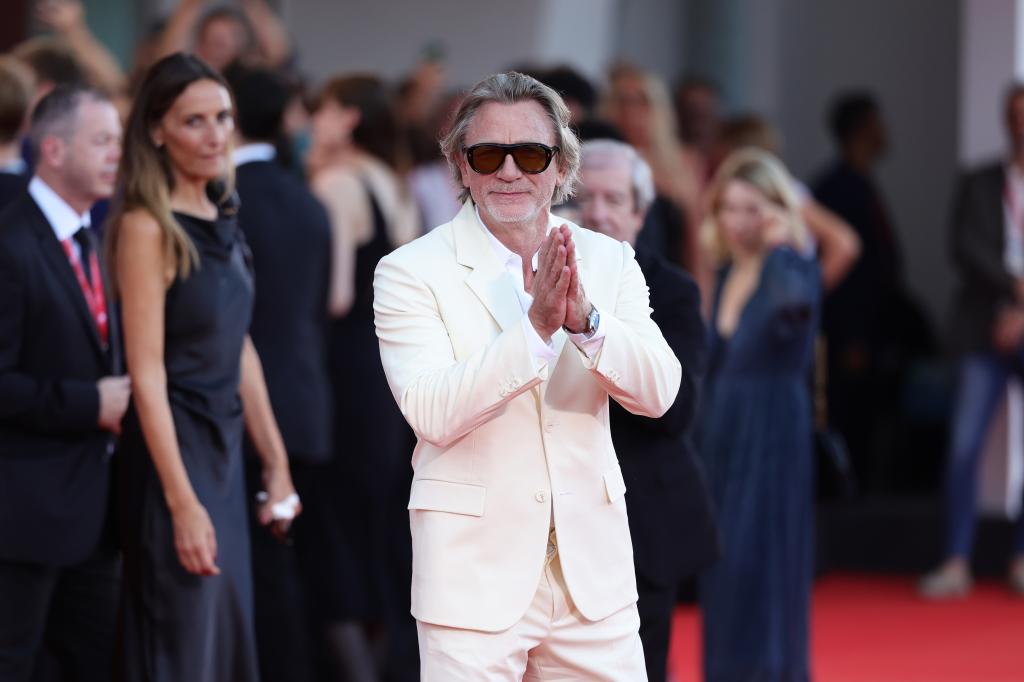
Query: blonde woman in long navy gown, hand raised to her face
(756, 430)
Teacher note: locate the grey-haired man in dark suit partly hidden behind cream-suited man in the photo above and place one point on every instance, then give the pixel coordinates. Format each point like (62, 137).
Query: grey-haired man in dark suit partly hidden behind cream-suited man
(671, 522)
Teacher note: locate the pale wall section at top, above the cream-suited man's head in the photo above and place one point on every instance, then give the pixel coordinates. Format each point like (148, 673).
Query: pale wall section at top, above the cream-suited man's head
(481, 37)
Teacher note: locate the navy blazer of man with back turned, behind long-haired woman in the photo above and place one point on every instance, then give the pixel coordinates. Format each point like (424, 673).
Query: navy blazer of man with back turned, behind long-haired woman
(290, 237)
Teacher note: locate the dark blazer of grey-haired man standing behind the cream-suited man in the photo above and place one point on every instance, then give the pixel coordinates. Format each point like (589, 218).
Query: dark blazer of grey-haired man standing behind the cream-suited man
(671, 521)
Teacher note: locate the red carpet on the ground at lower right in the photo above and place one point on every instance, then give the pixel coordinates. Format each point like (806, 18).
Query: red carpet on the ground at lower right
(877, 630)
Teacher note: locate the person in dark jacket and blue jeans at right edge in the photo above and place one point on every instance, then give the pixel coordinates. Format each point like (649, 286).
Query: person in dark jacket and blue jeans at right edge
(989, 334)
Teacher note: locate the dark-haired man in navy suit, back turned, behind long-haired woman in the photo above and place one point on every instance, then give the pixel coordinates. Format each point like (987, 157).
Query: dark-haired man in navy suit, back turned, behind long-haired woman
(290, 237)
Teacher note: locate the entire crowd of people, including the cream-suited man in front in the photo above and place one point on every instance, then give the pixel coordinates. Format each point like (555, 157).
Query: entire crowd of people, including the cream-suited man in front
(251, 329)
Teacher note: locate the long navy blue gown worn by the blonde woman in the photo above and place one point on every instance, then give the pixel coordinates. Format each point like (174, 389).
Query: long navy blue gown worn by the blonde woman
(756, 439)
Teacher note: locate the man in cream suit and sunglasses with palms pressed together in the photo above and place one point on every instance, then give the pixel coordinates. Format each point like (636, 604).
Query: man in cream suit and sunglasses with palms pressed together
(503, 335)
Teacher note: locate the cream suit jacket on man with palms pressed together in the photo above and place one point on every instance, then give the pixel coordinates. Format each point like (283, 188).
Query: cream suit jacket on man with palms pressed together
(506, 443)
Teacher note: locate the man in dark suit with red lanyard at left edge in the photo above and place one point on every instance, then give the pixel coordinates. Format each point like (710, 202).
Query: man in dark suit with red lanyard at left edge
(61, 400)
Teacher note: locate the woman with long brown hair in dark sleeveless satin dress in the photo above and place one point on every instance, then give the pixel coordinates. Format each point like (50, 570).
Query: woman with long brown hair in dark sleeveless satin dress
(183, 276)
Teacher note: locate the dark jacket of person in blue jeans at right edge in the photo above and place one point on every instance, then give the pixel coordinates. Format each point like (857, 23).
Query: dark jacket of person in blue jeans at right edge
(977, 245)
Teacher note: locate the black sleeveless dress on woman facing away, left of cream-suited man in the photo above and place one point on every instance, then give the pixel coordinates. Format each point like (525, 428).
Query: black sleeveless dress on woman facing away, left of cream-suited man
(371, 471)
